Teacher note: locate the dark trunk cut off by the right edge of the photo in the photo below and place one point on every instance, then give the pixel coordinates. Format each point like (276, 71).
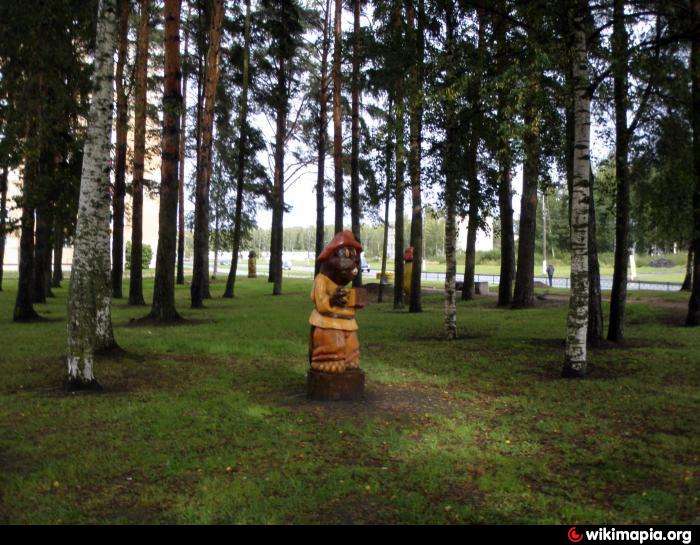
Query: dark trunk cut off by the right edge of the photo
(693, 318)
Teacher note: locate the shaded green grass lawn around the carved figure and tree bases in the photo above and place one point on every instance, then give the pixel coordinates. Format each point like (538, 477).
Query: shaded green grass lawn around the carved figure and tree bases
(207, 422)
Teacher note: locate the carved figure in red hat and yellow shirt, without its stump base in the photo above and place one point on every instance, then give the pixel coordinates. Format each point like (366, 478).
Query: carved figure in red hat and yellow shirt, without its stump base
(334, 346)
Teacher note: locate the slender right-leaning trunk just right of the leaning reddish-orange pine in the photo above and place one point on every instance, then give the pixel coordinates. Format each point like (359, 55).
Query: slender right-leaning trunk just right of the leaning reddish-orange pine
(242, 124)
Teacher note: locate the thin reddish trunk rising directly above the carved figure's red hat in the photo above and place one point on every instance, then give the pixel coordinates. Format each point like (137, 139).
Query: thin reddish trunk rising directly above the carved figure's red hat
(337, 121)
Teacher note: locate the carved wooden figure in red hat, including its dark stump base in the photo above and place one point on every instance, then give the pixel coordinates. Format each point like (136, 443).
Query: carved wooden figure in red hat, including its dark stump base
(334, 348)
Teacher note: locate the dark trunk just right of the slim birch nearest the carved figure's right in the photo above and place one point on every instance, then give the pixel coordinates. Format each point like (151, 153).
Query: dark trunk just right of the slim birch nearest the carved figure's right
(473, 173)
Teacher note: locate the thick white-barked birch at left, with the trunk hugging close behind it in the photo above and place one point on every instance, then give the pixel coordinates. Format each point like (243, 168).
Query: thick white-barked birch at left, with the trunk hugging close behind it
(89, 302)
